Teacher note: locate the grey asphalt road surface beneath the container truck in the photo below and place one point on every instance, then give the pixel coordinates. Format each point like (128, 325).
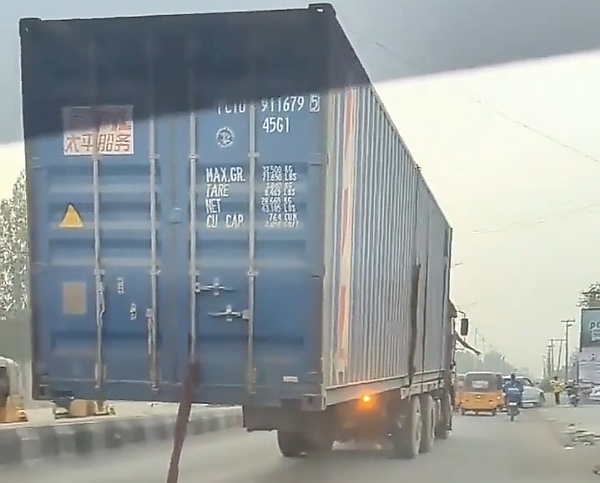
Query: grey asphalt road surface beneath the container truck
(481, 448)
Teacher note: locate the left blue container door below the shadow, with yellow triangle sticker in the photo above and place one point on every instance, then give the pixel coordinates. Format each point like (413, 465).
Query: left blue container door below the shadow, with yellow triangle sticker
(102, 253)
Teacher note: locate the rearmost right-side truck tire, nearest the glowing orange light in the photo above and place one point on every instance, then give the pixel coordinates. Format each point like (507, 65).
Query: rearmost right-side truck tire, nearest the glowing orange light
(407, 431)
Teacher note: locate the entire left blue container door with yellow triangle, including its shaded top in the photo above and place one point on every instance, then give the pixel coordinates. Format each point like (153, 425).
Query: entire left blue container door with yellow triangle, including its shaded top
(106, 223)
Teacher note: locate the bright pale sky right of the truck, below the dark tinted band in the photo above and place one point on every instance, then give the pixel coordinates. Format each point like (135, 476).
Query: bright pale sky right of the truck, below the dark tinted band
(525, 209)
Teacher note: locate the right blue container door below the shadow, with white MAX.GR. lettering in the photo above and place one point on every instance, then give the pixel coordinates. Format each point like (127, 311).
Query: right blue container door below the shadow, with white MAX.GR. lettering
(255, 258)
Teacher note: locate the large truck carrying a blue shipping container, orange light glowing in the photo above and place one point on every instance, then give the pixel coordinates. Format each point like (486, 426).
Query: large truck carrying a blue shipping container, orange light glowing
(228, 190)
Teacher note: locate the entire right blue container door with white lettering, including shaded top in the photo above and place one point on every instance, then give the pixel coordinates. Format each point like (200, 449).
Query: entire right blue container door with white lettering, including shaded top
(254, 184)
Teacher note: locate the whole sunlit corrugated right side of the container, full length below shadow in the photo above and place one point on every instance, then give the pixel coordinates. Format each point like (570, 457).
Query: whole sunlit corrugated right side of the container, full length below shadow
(387, 225)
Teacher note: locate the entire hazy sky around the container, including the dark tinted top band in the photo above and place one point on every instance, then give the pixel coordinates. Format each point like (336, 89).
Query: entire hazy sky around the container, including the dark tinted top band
(524, 206)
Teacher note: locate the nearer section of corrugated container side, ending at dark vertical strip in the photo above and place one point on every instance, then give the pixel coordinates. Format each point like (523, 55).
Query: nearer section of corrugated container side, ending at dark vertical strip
(373, 260)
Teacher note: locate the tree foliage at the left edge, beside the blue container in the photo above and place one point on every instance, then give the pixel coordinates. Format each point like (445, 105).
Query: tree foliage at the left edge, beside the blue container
(14, 281)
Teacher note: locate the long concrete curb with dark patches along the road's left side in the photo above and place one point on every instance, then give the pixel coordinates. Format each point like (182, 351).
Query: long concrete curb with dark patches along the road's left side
(29, 444)
